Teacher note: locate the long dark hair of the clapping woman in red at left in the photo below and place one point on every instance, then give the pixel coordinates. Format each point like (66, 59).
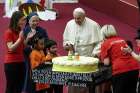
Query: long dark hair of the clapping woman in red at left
(14, 20)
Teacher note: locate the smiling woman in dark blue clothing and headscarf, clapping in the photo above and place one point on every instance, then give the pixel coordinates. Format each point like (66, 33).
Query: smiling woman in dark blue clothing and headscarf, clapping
(32, 28)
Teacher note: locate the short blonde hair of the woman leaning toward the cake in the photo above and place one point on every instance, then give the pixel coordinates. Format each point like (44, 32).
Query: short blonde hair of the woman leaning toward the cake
(108, 31)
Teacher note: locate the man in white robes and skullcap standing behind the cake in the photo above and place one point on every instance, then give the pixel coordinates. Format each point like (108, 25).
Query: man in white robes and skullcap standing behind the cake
(82, 35)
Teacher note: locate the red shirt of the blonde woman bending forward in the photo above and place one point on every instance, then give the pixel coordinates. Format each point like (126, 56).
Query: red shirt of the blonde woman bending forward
(121, 62)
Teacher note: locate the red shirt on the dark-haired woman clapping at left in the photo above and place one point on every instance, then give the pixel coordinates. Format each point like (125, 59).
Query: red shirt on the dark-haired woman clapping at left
(13, 56)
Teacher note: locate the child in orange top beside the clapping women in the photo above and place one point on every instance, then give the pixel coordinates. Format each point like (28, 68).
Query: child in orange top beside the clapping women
(37, 57)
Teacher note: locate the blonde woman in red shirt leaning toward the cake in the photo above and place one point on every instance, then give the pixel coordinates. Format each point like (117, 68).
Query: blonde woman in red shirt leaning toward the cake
(124, 66)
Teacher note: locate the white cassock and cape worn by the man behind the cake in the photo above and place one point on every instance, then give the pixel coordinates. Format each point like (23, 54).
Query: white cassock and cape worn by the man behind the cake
(85, 38)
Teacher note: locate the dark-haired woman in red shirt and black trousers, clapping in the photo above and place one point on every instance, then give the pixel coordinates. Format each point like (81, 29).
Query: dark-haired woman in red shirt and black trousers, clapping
(14, 66)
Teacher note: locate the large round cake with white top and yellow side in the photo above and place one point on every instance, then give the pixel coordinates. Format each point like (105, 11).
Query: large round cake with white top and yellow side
(82, 65)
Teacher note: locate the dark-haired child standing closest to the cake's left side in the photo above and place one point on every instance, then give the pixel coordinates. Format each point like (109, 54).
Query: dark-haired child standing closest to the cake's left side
(51, 53)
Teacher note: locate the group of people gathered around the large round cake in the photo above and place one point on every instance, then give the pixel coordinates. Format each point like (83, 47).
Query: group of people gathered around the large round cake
(28, 46)
